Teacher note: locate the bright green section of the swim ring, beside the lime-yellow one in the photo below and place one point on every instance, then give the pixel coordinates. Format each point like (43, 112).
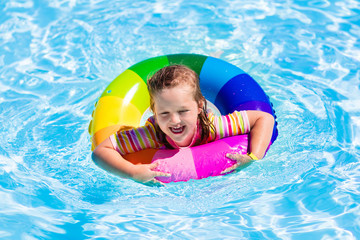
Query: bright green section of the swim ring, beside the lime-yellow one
(145, 69)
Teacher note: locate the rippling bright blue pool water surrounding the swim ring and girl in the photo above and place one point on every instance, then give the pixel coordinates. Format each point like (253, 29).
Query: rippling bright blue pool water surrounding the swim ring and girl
(56, 57)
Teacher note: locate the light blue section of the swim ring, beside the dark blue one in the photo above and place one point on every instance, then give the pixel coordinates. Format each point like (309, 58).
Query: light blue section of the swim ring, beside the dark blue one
(214, 74)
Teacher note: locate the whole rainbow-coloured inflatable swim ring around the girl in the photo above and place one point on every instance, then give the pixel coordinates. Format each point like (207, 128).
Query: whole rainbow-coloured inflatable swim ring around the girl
(125, 102)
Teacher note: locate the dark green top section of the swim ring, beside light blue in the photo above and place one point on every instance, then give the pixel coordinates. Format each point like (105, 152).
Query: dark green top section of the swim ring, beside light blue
(193, 61)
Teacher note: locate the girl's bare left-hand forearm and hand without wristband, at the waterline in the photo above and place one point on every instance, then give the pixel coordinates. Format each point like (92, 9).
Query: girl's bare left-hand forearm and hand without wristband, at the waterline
(106, 157)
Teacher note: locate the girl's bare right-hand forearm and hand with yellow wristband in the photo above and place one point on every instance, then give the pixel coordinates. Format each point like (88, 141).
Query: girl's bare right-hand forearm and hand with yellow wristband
(261, 129)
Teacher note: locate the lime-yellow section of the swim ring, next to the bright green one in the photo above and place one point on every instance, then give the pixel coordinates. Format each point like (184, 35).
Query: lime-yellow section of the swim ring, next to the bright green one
(124, 84)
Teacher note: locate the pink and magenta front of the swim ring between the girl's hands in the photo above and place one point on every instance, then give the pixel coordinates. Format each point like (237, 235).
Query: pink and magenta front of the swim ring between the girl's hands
(200, 161)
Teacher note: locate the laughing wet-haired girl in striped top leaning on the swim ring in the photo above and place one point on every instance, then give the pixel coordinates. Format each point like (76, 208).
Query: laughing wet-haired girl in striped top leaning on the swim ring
(180, 120)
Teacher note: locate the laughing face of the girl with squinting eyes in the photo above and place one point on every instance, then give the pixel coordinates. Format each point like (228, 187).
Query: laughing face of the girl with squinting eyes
(176, 112)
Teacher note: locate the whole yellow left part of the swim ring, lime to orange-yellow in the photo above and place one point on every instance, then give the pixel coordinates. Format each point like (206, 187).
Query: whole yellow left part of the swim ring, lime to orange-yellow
(122, 103)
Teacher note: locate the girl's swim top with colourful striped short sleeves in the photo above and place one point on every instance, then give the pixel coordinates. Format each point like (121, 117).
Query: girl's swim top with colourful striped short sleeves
(144, 137)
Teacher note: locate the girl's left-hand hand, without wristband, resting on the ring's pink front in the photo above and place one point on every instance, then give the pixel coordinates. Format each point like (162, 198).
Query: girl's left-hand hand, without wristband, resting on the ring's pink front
(144, 174)
